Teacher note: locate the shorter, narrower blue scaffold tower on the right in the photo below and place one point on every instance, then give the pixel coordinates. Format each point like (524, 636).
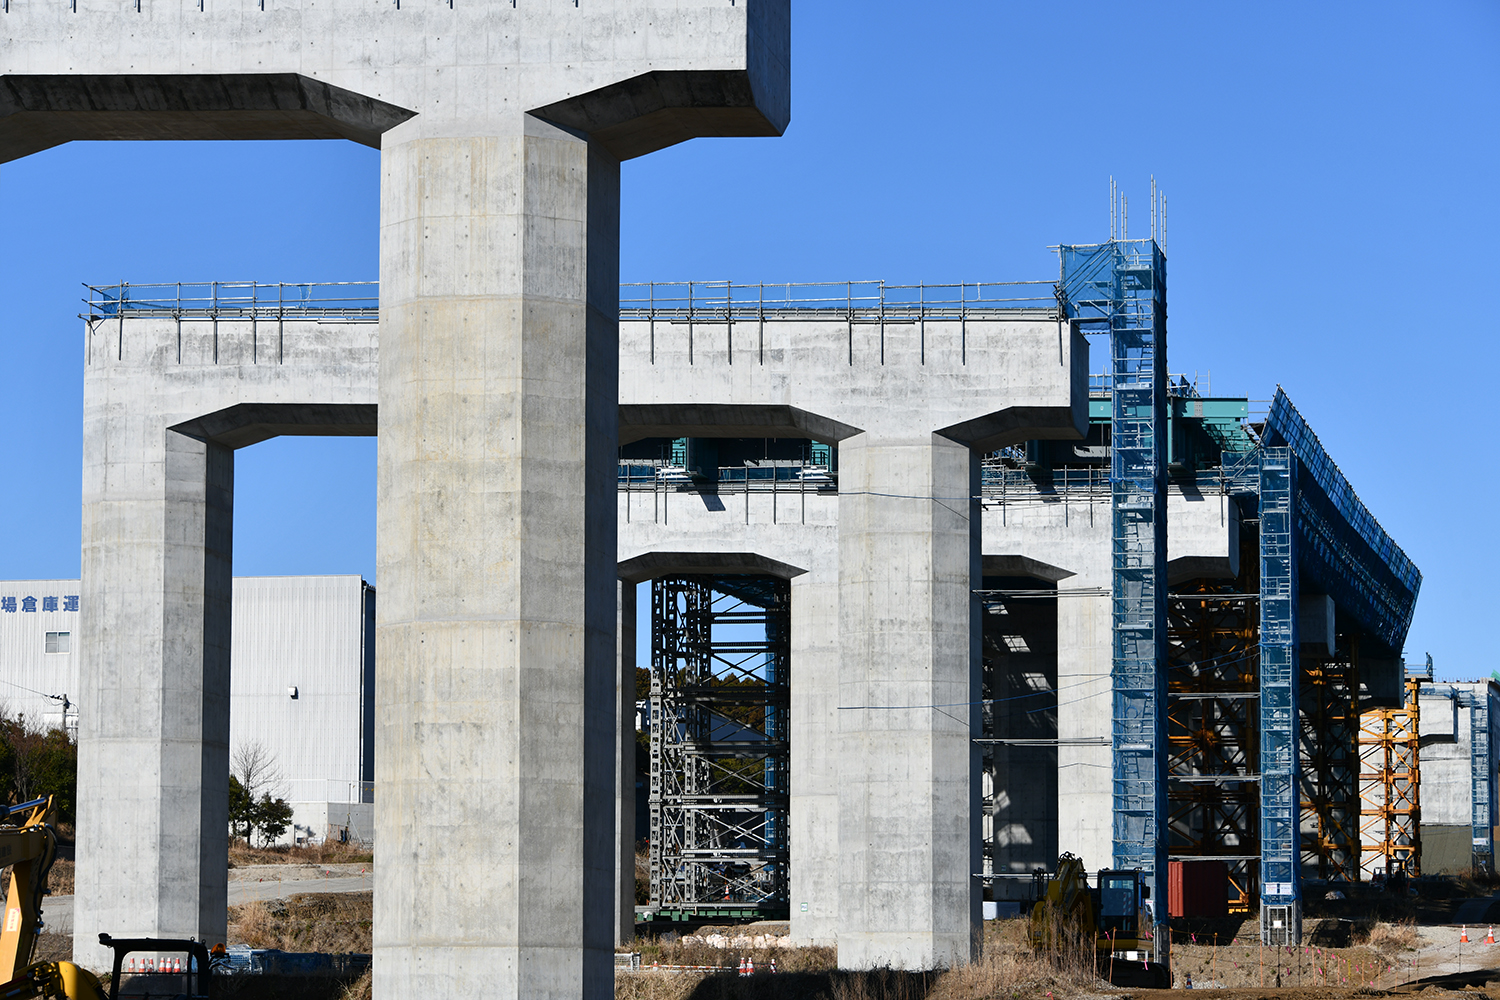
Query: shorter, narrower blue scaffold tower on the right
(1280, 861)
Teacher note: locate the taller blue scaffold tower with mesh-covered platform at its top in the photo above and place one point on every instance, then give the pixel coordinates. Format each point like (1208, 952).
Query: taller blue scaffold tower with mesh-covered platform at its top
(1121, 289)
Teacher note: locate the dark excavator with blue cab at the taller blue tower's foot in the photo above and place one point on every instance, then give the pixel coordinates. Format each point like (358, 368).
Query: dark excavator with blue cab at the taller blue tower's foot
(1112, 923)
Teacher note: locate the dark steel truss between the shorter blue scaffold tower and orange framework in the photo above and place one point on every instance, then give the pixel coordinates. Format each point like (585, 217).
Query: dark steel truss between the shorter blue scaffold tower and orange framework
(1330, 785)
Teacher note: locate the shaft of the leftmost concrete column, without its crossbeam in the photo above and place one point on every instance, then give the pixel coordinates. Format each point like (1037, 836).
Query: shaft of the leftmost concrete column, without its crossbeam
(155, 713)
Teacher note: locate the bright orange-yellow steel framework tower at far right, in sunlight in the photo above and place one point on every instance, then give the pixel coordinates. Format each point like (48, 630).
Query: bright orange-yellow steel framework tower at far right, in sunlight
(1390, 788)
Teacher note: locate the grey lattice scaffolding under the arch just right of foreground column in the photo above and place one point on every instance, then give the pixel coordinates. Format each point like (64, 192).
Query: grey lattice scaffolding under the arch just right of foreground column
(721, 672)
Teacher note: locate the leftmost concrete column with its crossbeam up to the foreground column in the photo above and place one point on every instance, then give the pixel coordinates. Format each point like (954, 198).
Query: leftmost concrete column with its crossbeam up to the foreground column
(155, 599)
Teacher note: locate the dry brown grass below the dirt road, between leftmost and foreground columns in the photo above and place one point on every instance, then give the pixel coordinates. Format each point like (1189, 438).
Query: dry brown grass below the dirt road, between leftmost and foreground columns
(334, 923)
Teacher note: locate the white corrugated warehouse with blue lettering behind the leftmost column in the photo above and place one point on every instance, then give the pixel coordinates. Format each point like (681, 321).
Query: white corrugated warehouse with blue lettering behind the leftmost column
(314, 633)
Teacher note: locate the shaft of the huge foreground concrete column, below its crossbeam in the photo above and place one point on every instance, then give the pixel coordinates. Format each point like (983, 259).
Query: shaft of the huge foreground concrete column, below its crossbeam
(496, 729)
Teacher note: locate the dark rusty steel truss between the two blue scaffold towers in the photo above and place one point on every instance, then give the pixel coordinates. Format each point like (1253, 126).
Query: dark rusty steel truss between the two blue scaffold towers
(1214, 726)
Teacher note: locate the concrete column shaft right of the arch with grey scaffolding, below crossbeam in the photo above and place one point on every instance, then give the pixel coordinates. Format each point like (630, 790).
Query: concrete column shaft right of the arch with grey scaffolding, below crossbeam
(908, 791)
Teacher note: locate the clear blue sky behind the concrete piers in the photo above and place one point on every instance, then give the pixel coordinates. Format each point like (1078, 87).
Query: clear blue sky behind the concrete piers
(1333, 185)
